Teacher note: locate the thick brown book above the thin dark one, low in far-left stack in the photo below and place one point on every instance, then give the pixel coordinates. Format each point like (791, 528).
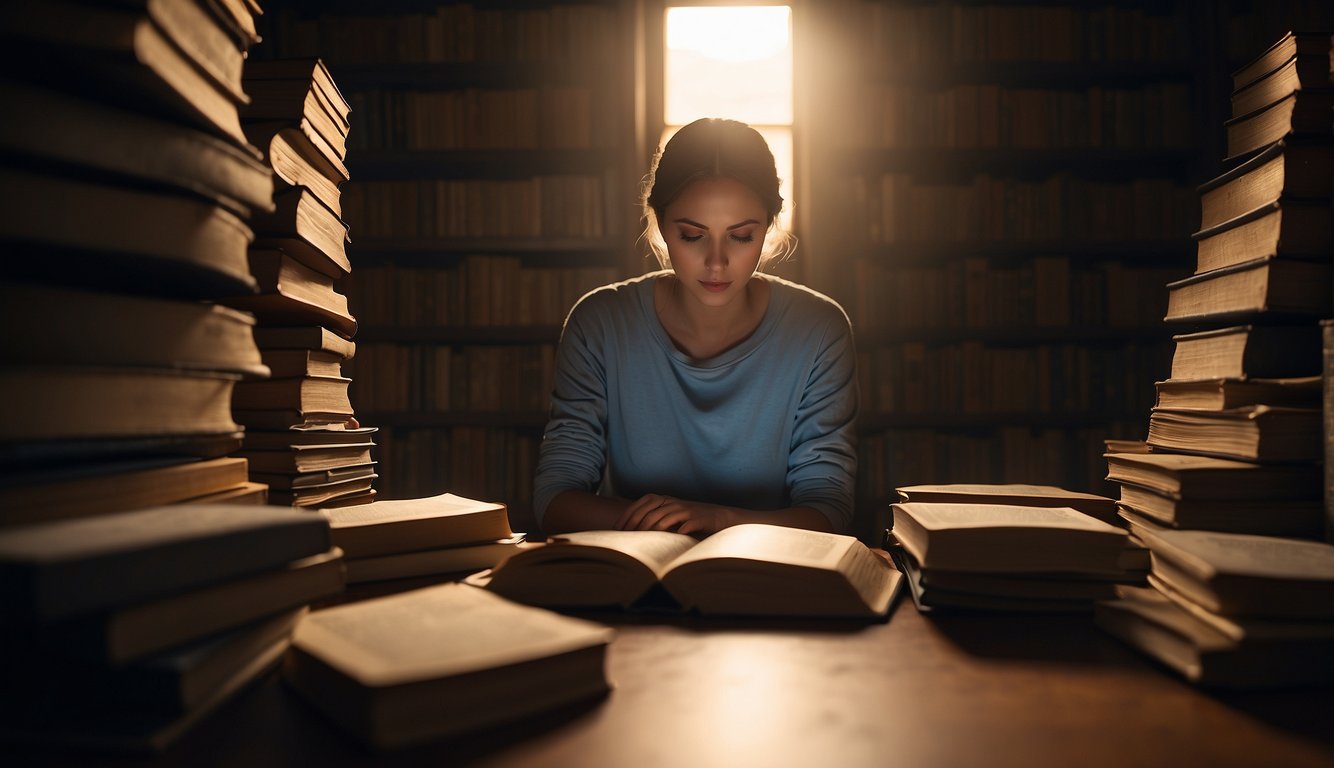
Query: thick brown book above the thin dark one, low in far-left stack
(77, 403)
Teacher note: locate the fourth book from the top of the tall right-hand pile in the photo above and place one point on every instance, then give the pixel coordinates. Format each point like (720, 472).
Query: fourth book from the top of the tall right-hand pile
(1291, 229)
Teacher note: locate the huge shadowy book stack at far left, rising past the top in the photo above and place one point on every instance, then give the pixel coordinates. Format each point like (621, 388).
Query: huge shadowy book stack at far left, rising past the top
(127, 190)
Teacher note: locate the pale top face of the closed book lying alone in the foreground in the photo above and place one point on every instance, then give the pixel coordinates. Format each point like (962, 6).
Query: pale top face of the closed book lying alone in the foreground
(436, 633)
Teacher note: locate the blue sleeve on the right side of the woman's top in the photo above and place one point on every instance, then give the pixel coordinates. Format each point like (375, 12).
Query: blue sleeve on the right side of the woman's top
(822, 463)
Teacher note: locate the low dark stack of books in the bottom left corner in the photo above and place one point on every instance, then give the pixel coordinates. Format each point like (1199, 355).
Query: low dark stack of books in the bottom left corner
(98, 655)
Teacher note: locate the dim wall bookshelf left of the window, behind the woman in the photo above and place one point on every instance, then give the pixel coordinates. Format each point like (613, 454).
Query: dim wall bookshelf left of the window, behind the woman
(493, 185)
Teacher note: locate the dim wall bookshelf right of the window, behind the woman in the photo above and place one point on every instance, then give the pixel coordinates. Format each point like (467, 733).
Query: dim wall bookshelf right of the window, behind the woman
(1008, 190)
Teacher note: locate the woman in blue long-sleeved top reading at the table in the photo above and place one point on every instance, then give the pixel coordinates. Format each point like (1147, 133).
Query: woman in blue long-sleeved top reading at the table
(708, 394)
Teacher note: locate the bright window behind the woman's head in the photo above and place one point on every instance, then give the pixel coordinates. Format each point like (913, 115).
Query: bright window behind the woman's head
(733, 62)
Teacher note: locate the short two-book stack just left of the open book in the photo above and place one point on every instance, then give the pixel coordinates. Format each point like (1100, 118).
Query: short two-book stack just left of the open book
(433, 537)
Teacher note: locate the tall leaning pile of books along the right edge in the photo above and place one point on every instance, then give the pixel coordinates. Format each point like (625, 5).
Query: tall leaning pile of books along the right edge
(1229, 483)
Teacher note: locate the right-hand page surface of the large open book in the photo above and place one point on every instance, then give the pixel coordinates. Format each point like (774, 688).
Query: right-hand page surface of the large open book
(772, 545)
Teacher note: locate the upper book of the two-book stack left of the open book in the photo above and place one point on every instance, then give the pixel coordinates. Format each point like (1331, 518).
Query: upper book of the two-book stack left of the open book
(408, 525)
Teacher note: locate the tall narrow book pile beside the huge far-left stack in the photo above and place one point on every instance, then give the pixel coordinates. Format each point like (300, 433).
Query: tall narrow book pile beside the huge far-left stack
(302, 438)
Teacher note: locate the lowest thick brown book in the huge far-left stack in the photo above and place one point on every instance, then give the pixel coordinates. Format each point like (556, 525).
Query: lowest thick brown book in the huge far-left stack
(59, 495)
